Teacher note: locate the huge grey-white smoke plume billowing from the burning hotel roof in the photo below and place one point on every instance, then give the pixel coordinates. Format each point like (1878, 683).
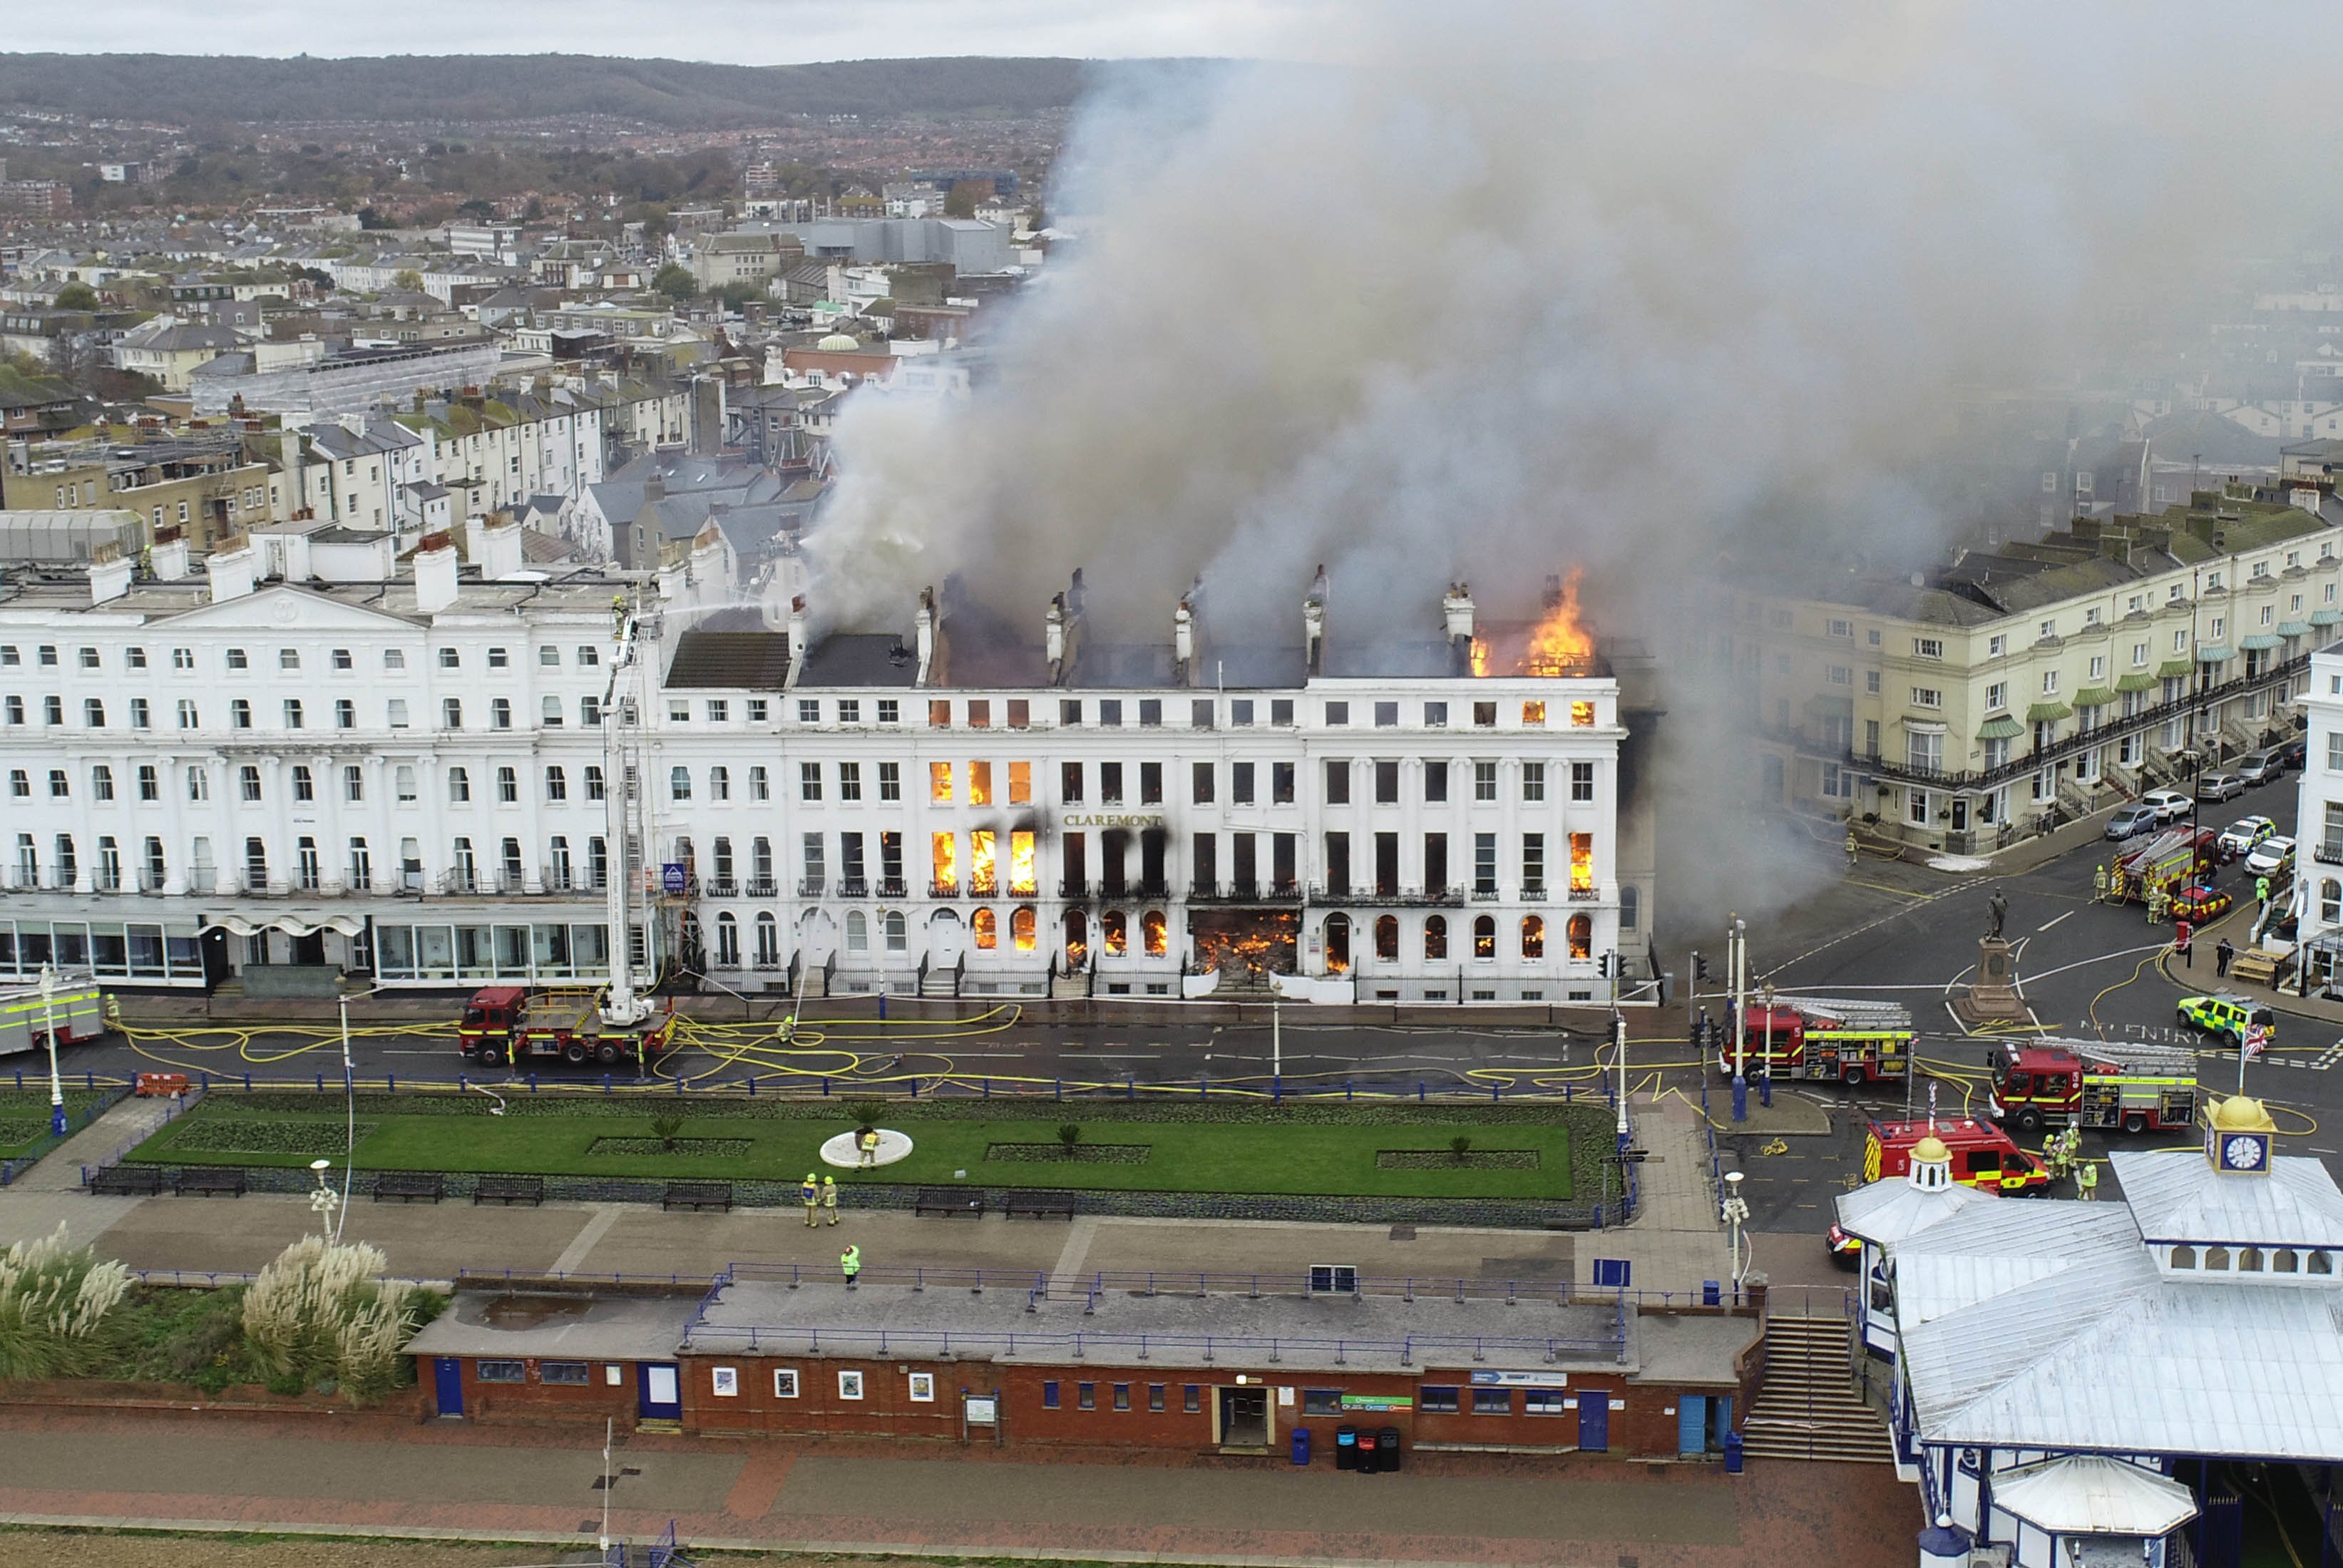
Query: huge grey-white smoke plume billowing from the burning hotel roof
(1487, 289)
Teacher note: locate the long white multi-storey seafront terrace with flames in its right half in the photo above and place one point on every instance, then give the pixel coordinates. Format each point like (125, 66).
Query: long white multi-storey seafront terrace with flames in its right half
(414, 782)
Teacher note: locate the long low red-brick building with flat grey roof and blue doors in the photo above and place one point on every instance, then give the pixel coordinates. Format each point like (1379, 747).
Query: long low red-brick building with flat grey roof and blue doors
(1126, 1363)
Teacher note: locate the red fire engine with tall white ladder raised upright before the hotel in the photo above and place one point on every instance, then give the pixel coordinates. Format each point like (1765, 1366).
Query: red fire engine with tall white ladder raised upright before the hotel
(617, 1025)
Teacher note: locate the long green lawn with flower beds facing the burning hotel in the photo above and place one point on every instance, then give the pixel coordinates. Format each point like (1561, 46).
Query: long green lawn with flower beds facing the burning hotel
(1241, 1154)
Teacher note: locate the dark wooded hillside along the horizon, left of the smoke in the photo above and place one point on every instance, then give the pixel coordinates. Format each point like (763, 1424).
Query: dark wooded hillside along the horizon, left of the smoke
(484, 90)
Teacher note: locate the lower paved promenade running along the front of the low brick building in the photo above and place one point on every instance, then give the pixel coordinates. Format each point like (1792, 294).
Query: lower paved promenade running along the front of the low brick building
(369, 1475)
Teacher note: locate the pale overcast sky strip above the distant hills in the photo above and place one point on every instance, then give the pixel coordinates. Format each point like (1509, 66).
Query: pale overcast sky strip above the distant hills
(744, 32)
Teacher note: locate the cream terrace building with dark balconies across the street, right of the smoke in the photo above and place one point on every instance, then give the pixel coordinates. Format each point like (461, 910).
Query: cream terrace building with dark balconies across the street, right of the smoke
(1953, 709)
